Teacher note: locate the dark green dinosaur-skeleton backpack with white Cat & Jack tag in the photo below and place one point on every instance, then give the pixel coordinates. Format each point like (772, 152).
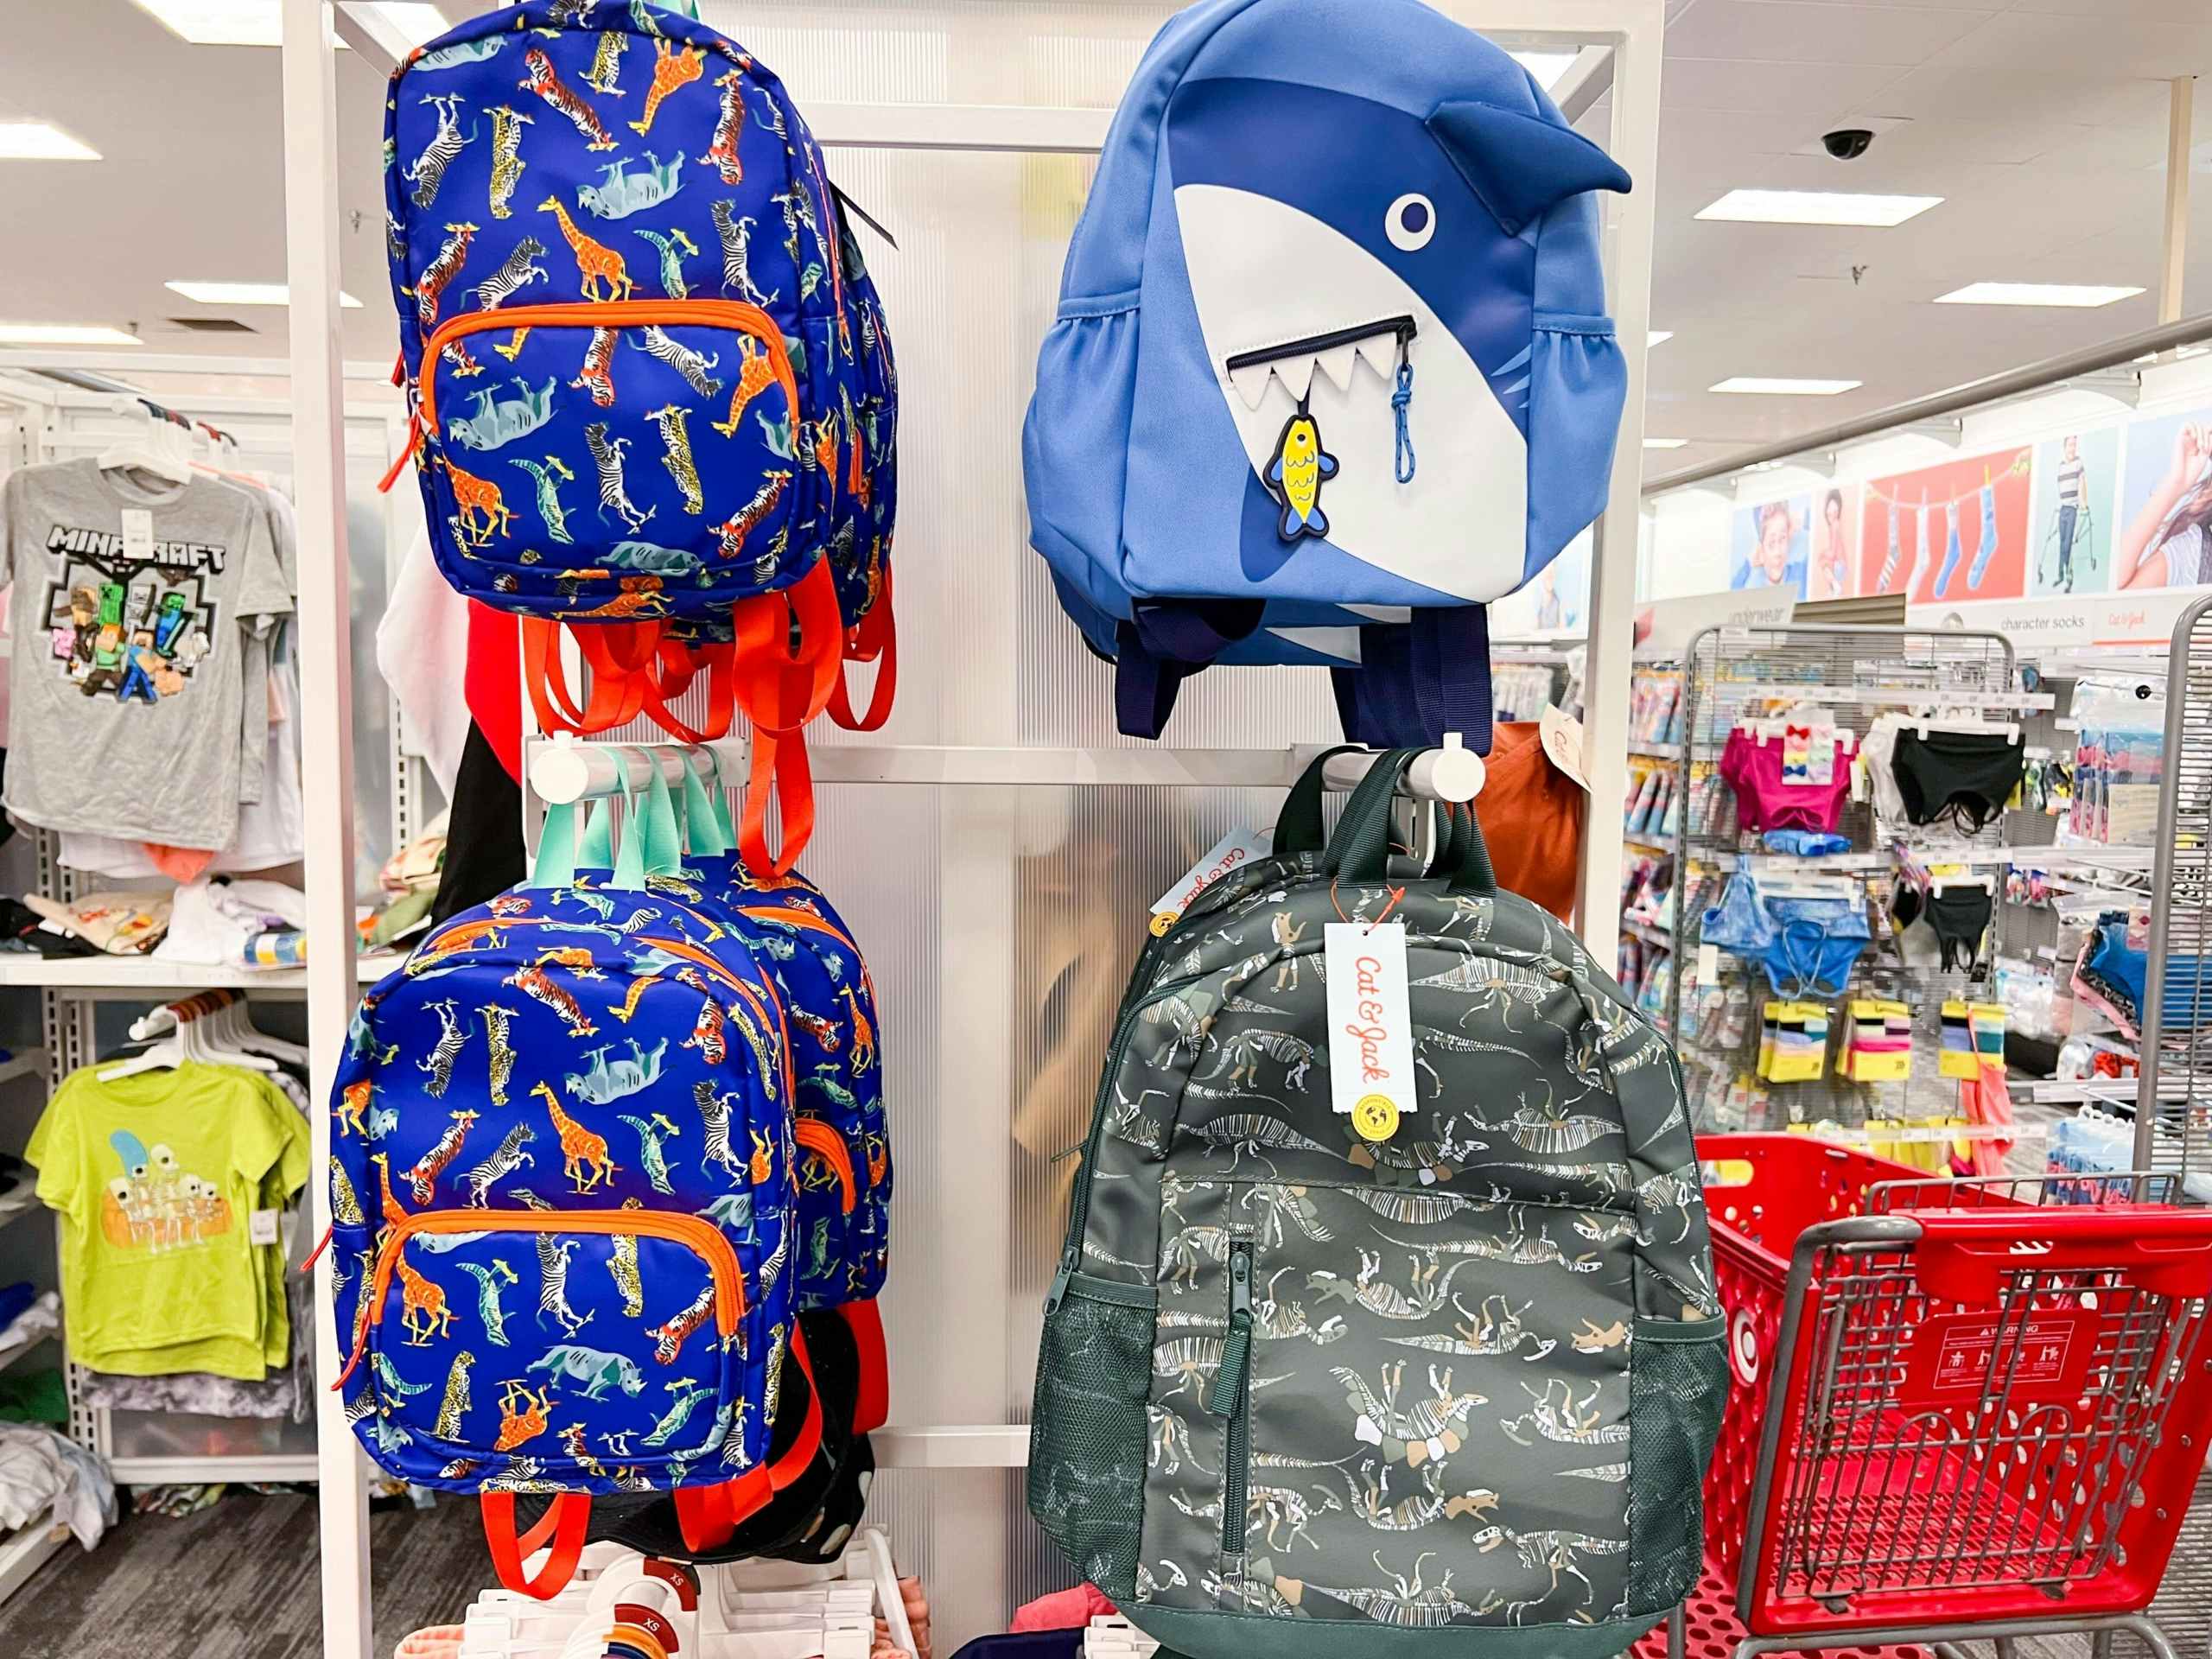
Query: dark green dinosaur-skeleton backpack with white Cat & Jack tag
(1441, 1364)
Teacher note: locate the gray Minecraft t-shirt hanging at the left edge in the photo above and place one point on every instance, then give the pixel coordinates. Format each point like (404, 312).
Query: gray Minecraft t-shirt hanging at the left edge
(132, 607)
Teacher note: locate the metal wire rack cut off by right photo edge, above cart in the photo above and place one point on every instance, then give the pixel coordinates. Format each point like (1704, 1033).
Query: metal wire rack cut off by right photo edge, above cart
(2173, 1107)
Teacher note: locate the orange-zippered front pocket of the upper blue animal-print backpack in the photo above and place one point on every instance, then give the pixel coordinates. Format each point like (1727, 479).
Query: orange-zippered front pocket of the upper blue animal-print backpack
(618, 461)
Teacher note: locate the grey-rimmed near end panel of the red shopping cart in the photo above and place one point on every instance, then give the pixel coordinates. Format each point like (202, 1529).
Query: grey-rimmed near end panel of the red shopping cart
(1990, 1415)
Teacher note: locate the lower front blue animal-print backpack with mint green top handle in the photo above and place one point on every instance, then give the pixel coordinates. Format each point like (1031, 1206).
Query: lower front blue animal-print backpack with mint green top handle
(565, 1193)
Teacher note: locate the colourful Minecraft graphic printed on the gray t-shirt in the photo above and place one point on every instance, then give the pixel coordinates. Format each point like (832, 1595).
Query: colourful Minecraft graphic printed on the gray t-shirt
(134, 629)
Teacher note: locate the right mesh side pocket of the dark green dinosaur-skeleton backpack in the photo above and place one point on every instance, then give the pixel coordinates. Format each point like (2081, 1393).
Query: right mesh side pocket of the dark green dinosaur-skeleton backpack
(1678, 1384)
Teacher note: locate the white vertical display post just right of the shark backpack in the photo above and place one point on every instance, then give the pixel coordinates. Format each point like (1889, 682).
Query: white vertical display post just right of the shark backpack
(1636, 30)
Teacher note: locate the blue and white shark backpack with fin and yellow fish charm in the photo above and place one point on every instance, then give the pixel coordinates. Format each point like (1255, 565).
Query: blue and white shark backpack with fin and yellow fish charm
(1331, 366)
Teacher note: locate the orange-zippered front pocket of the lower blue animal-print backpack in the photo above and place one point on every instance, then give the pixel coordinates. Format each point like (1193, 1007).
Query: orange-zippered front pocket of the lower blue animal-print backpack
(585, 1346)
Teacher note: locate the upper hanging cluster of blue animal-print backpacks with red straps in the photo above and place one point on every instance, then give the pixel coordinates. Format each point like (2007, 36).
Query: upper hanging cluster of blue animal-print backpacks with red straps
(651, 373)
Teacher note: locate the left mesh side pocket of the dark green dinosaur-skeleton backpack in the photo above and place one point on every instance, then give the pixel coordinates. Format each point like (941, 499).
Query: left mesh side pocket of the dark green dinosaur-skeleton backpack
(1087, 1432)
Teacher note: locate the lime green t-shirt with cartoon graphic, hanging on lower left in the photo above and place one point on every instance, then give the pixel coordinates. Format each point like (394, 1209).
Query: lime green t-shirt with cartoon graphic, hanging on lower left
(158, 1178)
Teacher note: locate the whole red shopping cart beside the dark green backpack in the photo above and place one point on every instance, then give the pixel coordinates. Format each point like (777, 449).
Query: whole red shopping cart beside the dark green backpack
(1990, 1419)
